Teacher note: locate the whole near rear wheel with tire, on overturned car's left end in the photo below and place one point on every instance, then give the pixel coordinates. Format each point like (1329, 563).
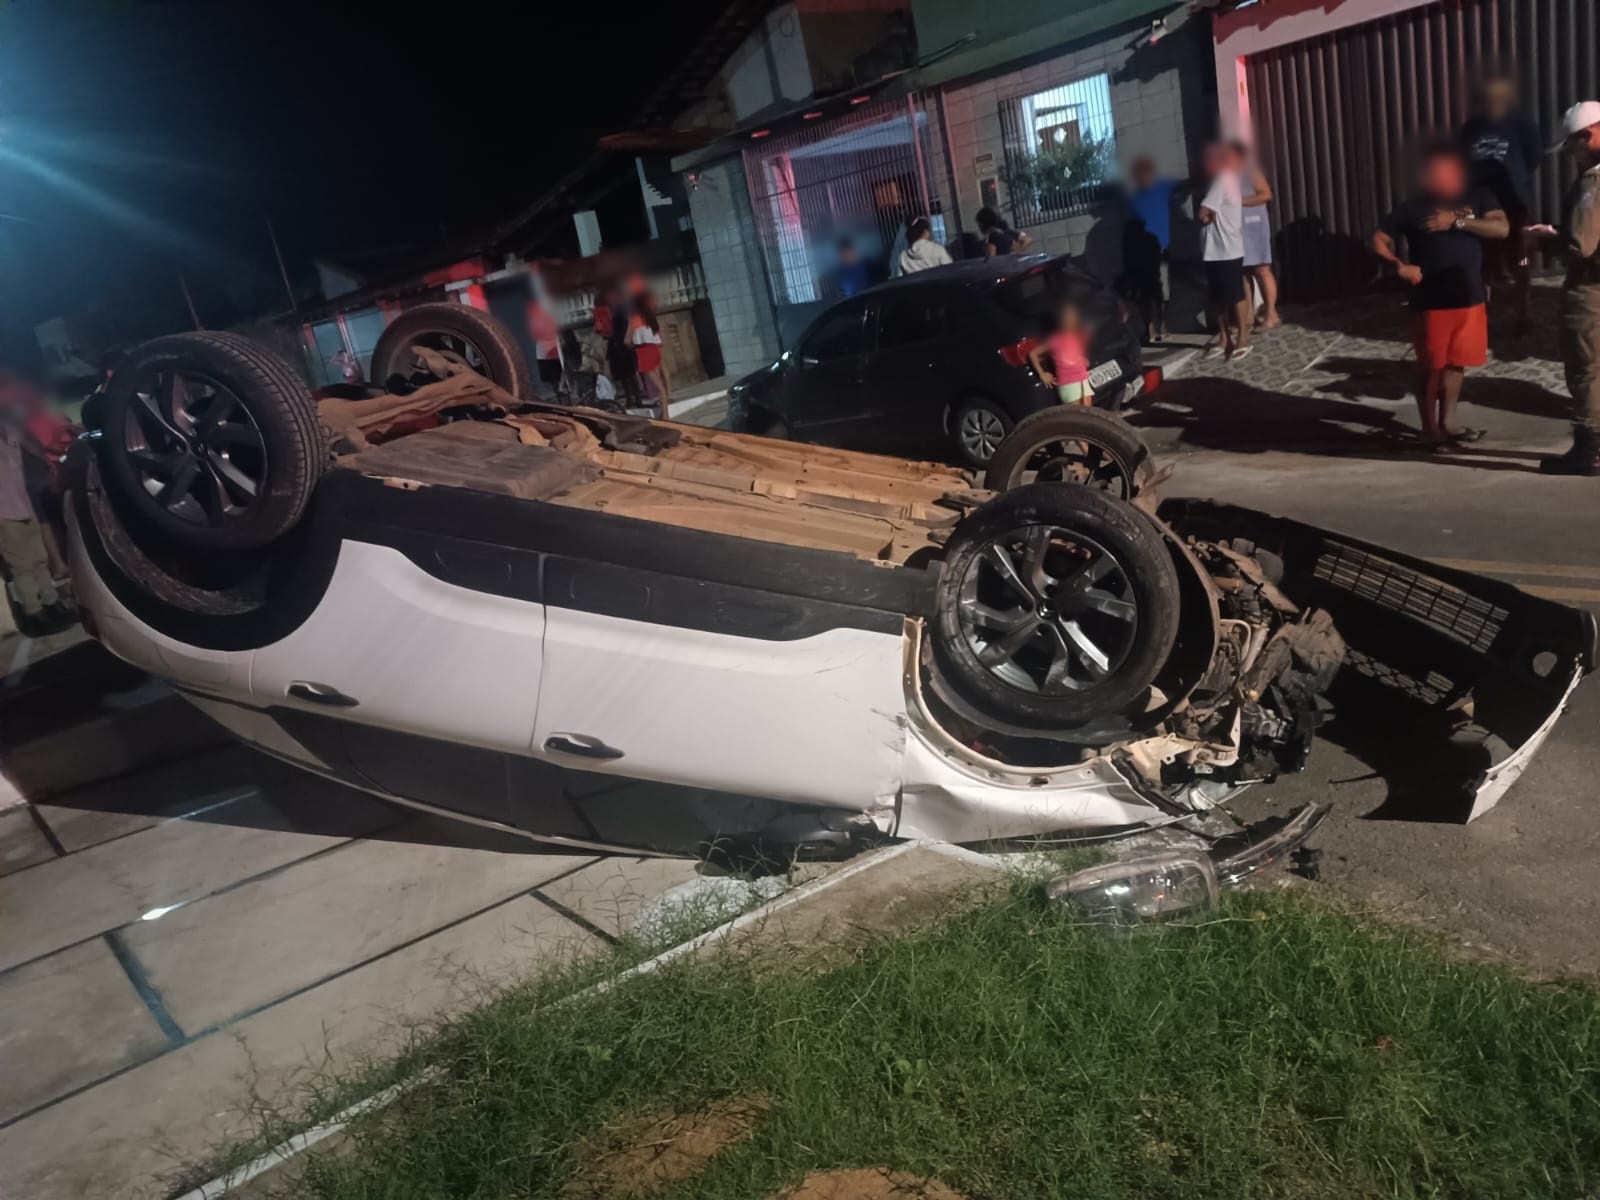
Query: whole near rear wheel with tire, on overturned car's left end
(212, 441)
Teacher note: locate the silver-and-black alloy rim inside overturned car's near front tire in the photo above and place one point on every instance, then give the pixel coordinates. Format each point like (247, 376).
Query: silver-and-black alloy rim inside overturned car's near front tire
(1047, 610)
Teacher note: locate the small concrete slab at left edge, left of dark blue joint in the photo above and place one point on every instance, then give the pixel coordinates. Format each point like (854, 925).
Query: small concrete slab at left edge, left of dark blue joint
(70, 1020)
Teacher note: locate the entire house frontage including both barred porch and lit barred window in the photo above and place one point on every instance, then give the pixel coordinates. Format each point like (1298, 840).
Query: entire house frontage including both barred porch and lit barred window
(1002, 105)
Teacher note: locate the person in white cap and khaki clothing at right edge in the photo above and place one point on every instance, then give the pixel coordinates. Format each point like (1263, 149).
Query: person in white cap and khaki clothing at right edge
(1578, 241)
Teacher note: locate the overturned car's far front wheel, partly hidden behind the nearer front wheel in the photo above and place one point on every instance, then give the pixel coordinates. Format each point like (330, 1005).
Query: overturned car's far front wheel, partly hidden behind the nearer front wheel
(1073, 446)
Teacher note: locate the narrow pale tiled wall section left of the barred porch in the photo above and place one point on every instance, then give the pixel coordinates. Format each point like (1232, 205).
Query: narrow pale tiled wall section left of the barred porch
(732, 260)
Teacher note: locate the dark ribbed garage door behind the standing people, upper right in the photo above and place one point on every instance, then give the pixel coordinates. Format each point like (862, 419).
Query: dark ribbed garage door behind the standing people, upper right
(1335, 118)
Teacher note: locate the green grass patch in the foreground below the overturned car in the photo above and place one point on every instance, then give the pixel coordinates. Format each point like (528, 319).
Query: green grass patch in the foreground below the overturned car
(1279, 1049)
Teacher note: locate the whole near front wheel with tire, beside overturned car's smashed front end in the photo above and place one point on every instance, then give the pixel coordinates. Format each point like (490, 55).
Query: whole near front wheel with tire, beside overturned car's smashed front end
(1057, 607)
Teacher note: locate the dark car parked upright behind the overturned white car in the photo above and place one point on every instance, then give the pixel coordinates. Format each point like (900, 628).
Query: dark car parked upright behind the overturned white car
(938, 361)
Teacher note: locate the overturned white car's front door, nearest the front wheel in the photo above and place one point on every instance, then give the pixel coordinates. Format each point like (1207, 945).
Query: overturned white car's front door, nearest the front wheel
(724, 689)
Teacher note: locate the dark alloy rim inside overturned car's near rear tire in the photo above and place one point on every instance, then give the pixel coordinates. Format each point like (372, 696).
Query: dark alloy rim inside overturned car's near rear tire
(196, 449)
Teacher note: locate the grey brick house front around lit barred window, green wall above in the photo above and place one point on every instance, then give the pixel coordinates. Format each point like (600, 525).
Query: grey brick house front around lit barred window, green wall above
(1041, 113)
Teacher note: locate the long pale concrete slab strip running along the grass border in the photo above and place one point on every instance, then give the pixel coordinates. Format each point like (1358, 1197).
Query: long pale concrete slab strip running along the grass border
(126, 1138)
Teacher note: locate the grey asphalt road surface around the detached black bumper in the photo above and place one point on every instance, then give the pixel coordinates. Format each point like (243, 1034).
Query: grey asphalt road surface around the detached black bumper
(1522, 881)
